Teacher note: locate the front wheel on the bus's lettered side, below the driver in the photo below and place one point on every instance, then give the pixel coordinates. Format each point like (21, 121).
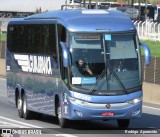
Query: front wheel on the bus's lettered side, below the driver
(62, 121)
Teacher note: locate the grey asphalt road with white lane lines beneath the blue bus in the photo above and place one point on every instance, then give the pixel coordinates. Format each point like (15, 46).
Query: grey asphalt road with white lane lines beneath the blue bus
(9, 119)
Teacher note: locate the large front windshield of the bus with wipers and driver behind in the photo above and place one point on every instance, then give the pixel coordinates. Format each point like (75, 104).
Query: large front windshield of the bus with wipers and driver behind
(105, 63)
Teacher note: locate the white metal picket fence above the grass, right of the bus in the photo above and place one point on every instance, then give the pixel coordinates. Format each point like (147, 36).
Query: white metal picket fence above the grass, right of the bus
(148, 29)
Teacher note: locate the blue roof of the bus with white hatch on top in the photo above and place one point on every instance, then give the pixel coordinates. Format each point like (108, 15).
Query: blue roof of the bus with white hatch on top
(86, 20)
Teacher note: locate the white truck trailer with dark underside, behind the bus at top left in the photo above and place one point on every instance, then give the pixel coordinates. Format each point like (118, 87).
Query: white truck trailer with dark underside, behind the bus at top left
(19, 8)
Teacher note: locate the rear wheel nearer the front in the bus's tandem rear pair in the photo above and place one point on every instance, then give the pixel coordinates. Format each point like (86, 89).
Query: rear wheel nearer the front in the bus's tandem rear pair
(26, 113)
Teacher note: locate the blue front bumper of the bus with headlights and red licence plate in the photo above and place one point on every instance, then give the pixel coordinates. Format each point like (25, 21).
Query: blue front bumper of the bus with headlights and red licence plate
(80, 110)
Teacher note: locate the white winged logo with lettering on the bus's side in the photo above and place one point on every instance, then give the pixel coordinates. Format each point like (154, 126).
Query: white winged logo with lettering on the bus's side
(34, 63)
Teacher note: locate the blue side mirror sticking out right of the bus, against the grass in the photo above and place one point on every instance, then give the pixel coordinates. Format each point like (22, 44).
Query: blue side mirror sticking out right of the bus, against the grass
(147, 54)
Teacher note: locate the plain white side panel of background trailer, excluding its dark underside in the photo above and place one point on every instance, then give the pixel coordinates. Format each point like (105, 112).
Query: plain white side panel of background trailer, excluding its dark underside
(30, 5)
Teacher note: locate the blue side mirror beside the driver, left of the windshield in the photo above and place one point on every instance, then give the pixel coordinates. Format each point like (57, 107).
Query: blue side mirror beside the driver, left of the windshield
(65, 54)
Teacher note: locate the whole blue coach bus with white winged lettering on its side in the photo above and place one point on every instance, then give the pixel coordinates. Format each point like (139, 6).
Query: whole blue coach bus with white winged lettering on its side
(43, 58)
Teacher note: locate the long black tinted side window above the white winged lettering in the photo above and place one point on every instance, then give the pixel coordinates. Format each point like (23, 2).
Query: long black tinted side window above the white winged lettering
(36, 39)
